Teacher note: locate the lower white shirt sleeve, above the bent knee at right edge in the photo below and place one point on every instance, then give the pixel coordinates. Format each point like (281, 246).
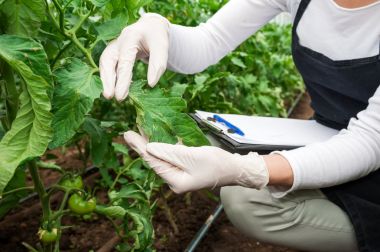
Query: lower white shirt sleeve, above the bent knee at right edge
(350, 155)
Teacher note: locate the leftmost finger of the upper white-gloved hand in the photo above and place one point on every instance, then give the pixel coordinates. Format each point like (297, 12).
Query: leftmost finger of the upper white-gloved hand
(107, 67)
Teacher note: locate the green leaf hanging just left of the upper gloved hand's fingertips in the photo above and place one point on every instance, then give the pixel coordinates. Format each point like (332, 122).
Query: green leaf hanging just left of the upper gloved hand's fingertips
(74, 96)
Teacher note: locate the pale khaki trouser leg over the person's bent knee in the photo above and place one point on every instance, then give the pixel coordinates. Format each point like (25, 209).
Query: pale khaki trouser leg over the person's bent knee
(304, 220)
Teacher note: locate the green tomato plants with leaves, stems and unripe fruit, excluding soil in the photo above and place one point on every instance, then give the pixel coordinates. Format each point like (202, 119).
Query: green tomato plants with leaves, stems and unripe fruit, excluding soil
(50, 98)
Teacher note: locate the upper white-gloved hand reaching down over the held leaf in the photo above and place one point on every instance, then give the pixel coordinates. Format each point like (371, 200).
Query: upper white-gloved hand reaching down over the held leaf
(148, 38)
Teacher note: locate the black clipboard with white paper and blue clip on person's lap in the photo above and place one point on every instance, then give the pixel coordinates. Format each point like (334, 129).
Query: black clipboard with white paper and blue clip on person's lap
(232, 145)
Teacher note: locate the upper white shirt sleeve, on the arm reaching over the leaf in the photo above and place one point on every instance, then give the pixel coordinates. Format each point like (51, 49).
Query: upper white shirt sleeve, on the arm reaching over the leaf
(193, 49)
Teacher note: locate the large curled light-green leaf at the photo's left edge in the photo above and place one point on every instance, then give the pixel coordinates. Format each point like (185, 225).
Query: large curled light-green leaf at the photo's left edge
(31, 131)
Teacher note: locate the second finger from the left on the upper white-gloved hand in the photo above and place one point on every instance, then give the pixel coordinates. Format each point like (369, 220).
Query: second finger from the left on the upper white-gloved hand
(127, 57)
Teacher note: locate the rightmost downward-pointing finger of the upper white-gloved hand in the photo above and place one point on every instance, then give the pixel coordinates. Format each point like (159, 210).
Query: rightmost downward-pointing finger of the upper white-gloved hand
(158, 58)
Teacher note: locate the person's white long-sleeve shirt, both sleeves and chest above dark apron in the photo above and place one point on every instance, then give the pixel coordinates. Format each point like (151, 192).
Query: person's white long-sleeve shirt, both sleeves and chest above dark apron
(325, 27)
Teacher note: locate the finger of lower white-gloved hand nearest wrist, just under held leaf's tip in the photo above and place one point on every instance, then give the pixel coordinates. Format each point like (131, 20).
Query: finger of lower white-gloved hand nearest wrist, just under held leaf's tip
(177, 155)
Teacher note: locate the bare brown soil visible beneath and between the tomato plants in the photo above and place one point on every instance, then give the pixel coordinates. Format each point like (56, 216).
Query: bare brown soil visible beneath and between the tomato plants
(189, 212)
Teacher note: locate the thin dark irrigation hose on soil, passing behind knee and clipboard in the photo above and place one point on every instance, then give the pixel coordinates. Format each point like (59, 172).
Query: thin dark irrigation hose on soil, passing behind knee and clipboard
(211, 219)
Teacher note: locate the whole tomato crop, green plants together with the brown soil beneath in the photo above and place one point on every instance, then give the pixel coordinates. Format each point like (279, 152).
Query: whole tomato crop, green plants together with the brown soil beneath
(68, 182)
